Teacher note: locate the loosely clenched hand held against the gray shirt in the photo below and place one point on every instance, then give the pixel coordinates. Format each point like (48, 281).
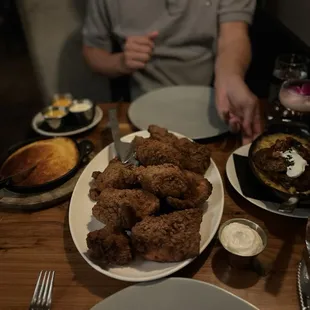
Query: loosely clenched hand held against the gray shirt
(137, 52)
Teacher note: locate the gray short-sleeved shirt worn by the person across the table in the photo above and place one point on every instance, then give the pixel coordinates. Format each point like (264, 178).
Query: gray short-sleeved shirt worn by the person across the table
(185, 48)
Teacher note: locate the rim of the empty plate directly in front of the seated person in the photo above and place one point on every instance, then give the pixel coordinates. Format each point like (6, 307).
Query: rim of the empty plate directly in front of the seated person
(159, 90)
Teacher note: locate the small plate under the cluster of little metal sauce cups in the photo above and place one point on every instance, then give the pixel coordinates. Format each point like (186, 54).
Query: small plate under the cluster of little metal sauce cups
(39, 119)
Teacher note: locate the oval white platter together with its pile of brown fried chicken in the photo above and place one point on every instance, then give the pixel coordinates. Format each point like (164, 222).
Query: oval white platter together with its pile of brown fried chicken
(144, 222)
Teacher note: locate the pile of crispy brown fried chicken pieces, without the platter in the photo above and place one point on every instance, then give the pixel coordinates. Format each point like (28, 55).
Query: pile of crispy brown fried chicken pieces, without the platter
(156, 209)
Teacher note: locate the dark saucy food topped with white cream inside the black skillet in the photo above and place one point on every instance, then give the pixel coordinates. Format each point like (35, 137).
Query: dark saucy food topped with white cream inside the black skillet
(281, 161)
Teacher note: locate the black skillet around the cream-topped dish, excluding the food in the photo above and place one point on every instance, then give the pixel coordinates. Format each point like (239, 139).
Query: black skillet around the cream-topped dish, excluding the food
(296, 129)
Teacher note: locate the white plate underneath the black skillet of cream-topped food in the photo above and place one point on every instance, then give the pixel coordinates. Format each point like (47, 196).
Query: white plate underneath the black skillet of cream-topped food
(266, 205)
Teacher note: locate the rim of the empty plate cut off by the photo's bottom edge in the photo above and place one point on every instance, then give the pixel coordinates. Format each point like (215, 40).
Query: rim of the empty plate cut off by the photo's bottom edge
(176, 279)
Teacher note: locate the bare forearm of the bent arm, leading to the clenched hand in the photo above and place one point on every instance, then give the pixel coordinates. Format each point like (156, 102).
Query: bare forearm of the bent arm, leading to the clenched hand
(101, 61)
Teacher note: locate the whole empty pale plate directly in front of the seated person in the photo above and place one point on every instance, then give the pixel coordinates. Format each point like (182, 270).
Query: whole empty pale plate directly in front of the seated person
(189, 110)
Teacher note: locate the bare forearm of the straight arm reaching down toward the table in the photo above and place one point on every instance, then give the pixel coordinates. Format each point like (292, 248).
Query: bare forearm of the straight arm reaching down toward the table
(233, 55)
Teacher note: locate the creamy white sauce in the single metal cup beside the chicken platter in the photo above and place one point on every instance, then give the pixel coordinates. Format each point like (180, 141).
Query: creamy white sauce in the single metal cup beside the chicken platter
(241, 239)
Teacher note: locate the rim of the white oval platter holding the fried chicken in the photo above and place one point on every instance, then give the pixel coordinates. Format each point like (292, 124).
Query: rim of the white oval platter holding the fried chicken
(163, 274)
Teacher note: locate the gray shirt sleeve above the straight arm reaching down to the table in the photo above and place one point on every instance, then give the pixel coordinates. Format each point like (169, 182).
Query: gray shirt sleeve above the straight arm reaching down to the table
(236, 10)
